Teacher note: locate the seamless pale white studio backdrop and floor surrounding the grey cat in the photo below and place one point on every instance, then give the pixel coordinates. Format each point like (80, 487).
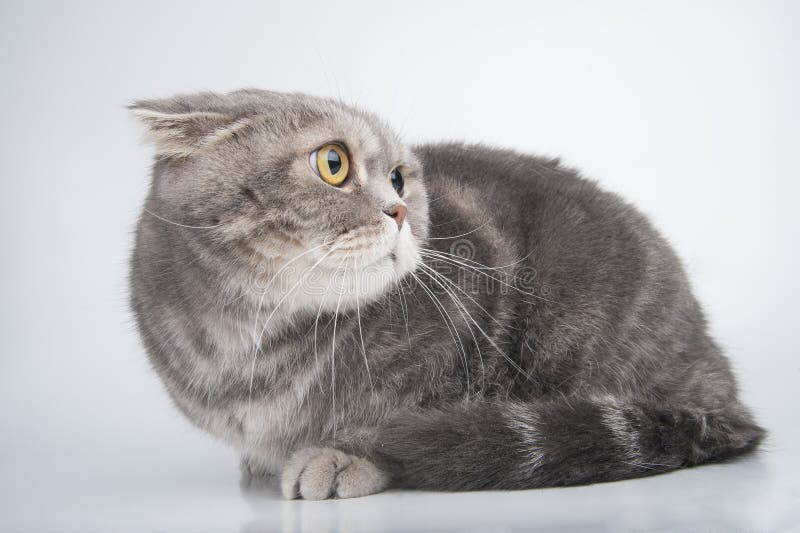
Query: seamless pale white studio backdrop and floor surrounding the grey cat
(689, 109)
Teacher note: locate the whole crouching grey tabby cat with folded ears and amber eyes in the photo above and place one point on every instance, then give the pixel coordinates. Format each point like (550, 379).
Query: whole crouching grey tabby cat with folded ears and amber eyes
(353, 314)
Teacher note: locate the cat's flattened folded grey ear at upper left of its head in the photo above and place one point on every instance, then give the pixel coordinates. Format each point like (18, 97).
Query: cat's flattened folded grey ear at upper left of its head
(182, 132)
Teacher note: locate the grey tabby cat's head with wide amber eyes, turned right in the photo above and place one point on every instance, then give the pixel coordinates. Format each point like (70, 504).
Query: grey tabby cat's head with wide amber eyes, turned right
(291, 197)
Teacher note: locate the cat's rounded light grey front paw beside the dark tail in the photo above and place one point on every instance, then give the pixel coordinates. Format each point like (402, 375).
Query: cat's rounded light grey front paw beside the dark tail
(321, 473)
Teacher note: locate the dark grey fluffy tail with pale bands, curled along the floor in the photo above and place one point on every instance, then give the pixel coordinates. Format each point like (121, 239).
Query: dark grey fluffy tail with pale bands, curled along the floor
(513, 445)
